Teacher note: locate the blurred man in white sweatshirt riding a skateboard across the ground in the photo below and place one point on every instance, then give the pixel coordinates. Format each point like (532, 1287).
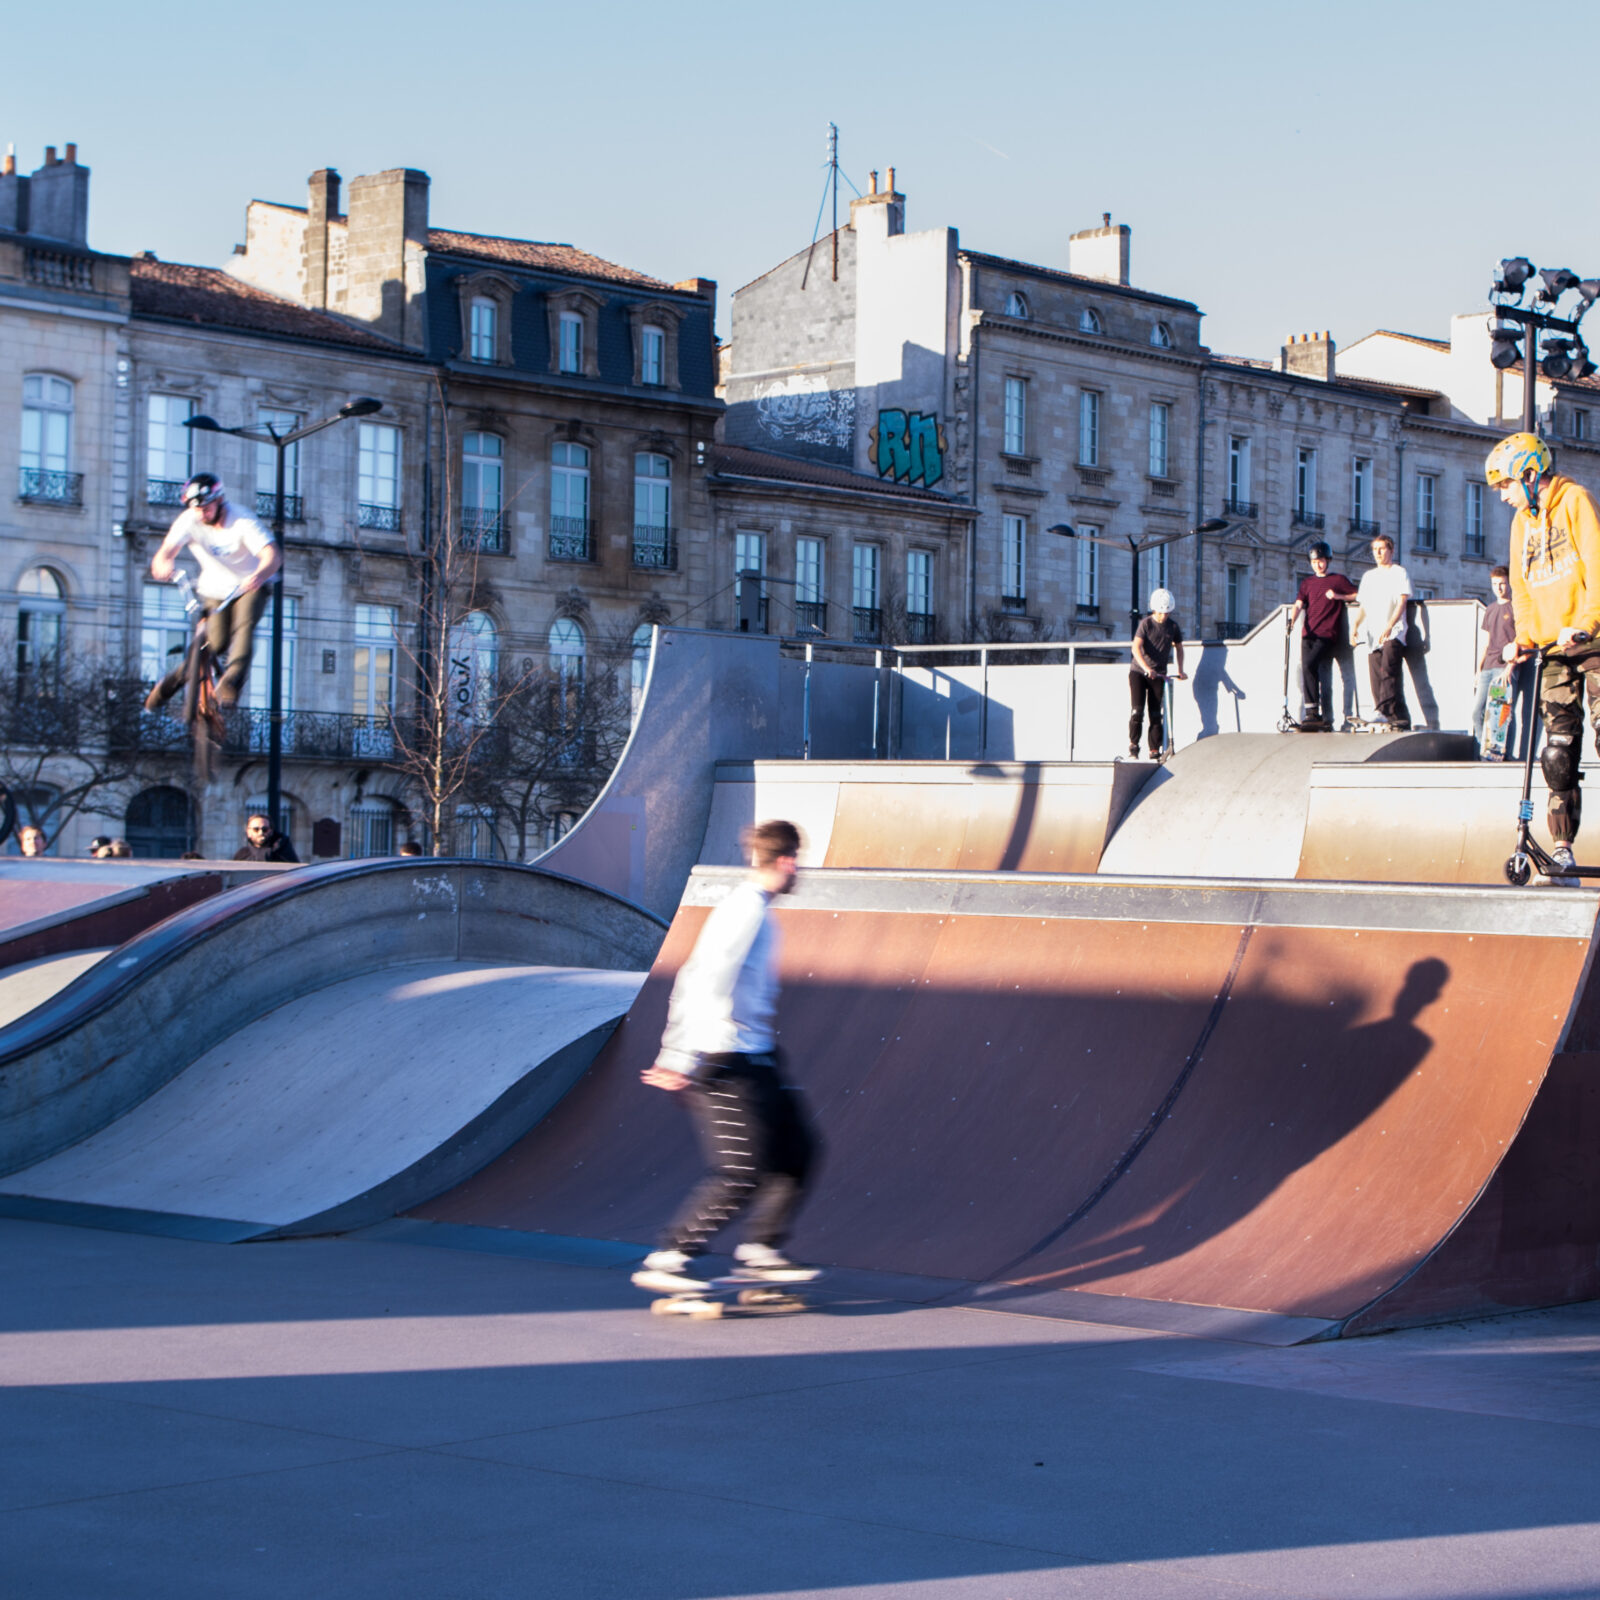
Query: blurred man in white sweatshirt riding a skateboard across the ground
(719, 1057)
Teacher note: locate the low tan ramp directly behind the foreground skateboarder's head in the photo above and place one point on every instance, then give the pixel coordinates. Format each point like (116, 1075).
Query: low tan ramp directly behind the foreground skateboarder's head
(983, 817)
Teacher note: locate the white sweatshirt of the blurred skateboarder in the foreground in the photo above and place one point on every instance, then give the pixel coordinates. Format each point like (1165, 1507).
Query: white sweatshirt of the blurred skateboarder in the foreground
(726, 998)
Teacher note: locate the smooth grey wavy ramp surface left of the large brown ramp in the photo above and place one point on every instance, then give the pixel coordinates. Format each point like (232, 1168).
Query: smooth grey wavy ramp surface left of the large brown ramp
(351, 1102)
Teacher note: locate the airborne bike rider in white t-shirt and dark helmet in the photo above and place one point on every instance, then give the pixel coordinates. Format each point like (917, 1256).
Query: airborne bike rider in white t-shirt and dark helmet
(238, 561)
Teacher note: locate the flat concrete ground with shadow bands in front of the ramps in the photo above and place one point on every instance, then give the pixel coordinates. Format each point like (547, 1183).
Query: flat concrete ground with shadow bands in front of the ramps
(382, 1418)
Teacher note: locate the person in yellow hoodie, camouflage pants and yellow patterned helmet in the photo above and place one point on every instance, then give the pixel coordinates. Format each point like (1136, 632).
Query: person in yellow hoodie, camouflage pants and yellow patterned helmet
(1556, 598)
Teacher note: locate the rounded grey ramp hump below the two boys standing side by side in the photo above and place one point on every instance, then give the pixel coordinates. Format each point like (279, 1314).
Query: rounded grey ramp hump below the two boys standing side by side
(1236, 806)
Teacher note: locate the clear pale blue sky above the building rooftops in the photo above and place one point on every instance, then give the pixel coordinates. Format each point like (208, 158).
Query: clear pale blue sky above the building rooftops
(1287, 167)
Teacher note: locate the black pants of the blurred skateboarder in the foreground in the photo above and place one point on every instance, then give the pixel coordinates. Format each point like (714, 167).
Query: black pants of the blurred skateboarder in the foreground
(759, 1148)
